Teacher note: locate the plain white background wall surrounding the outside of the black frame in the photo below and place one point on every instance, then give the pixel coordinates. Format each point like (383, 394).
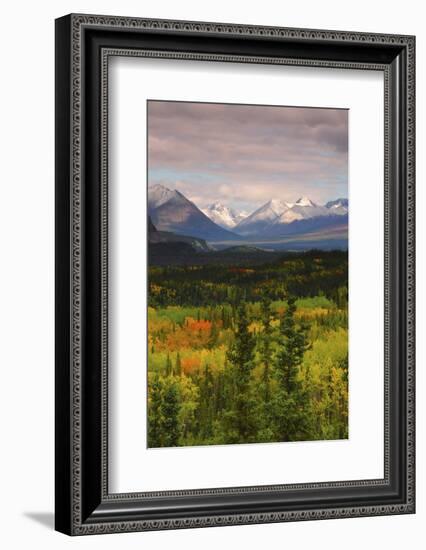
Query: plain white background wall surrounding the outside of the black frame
(26, 289)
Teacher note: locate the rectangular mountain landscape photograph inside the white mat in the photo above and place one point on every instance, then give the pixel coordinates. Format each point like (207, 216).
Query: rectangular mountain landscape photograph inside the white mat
(247, 228)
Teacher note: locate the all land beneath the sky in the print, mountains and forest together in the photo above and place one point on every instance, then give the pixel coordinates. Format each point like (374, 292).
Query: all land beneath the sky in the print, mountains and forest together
(247, 325)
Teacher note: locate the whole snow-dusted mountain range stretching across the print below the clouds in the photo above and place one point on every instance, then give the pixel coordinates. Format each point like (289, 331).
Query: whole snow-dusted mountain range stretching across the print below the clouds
(171, 212)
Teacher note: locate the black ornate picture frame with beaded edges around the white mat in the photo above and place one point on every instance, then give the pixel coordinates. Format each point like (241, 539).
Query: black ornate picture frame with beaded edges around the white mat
(83, 45)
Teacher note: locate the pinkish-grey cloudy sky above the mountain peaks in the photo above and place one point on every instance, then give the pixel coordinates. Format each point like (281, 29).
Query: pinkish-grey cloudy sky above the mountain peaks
(245, 155)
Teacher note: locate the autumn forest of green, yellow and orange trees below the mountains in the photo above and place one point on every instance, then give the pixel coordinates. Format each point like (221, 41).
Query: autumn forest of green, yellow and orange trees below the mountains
(248, 353)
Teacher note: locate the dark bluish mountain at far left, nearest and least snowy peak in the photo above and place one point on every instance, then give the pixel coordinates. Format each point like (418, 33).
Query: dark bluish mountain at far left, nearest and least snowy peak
(171, 211)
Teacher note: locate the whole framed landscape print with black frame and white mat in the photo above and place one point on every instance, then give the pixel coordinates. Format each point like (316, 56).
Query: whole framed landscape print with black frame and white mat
(234, 274)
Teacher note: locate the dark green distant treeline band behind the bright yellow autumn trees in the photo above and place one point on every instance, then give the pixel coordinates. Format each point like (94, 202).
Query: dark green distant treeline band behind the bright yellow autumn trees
(306, 274)
